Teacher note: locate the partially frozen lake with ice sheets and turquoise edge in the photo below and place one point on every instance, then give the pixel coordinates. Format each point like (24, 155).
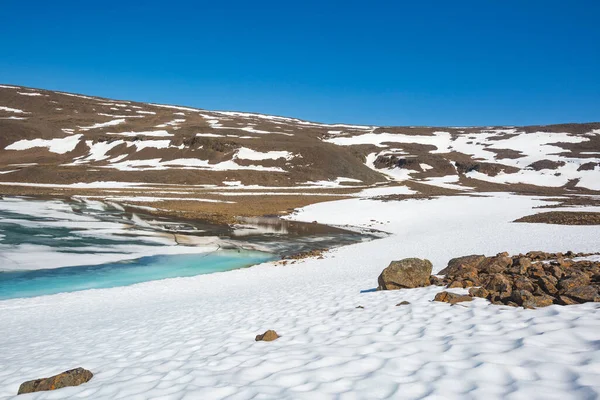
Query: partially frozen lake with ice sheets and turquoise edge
(55, 246)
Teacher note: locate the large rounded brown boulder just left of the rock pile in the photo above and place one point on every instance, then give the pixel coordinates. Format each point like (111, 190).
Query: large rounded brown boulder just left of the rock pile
(407, 273)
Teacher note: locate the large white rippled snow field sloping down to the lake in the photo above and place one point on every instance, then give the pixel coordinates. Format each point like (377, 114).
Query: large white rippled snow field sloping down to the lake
(194, 337)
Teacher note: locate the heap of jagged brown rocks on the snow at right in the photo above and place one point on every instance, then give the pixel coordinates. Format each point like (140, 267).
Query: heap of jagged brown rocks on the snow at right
(535, 279)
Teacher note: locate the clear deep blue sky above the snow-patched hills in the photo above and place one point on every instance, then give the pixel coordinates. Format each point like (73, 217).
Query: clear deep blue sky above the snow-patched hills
(471, 62)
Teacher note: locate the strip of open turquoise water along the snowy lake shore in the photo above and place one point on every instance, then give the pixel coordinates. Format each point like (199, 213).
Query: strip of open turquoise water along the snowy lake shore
(20, 284)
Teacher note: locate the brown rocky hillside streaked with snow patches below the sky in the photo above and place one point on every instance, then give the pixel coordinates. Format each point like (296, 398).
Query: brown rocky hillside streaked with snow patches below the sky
(51, 137)
